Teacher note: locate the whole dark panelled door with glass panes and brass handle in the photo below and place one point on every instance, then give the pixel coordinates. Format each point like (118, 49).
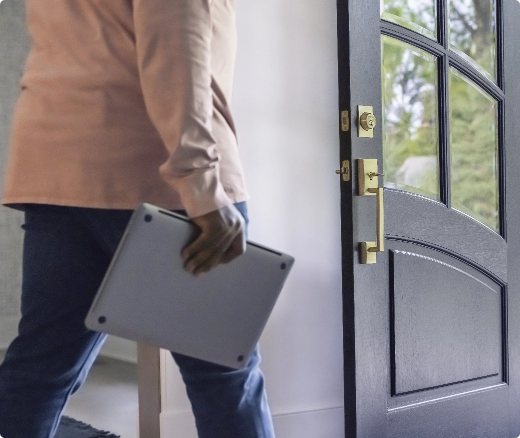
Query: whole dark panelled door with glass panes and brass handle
(430, 89)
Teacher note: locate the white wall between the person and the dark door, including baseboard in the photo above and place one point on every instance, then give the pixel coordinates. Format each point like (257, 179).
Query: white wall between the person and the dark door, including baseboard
(285, 105)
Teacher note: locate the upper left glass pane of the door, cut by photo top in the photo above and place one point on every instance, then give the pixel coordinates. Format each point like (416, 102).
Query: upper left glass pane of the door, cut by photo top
(417, 15)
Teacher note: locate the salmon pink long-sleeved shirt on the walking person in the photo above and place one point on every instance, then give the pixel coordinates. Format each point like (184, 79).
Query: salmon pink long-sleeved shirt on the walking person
(126, 101)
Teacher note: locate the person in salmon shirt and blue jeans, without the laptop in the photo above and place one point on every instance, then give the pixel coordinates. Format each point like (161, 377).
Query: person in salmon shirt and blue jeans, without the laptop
(121, 102)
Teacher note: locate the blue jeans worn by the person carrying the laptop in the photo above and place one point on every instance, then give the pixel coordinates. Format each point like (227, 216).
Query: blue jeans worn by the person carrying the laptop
(66, 253)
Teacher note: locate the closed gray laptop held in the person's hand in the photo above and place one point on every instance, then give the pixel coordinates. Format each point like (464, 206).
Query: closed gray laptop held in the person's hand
(147, 295)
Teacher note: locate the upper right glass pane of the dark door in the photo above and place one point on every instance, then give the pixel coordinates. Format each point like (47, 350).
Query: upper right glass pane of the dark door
(473, 33)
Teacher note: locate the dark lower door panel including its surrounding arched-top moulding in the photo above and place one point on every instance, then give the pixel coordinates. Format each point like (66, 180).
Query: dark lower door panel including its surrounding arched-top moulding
(447, 326)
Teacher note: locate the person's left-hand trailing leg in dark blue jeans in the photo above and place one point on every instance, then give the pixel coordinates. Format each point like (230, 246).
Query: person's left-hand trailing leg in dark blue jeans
(63, 265)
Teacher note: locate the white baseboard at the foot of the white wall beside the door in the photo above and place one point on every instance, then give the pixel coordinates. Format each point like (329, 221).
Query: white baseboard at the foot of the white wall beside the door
(324, 423)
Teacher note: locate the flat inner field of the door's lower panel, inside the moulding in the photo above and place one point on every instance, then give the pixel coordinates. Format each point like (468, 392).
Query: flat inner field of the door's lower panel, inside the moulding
(446, 324)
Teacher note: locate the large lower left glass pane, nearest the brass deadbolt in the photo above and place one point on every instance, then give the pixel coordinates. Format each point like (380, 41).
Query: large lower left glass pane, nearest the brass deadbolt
(410, 132)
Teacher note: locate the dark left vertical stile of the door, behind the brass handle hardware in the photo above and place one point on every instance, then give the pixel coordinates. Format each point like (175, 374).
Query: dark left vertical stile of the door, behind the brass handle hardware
(365, 306)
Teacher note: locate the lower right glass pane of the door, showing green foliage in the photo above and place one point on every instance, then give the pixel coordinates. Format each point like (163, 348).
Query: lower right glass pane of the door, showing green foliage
(474, 150)
